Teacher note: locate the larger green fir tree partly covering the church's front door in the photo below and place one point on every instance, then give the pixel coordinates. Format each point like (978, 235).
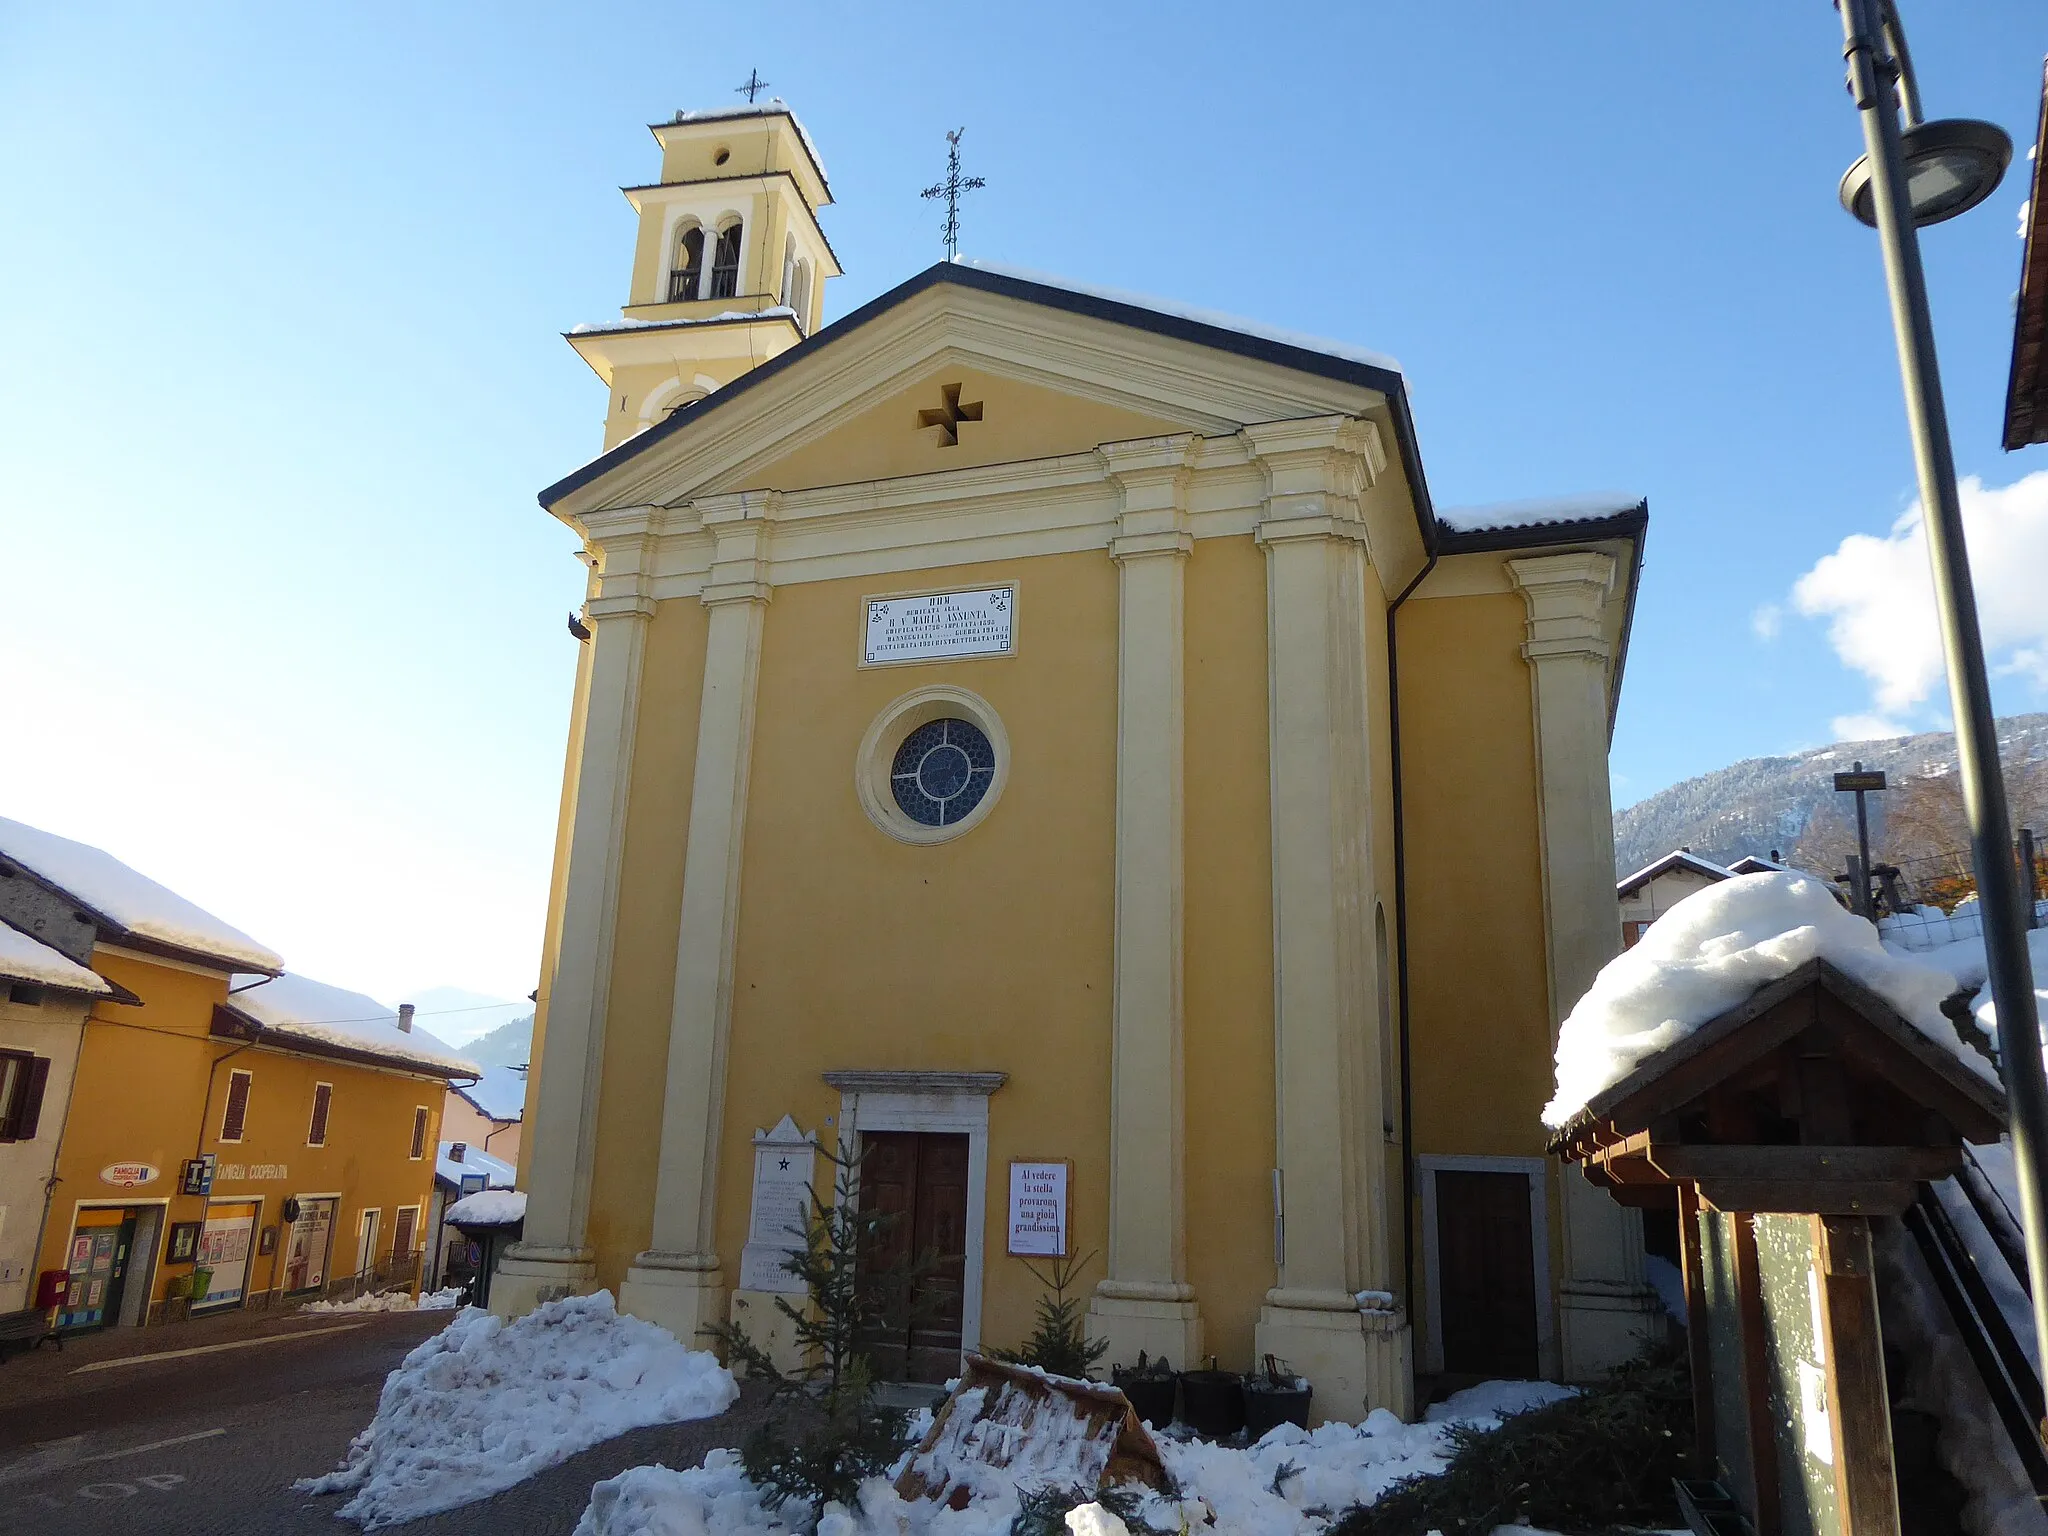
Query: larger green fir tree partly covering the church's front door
(828, 1435)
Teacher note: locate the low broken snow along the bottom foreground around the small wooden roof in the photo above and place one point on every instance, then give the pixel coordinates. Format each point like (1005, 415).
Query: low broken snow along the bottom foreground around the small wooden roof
(1222, 1490)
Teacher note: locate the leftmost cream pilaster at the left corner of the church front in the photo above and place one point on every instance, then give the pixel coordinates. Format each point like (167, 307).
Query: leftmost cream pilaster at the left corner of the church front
(554, 1258)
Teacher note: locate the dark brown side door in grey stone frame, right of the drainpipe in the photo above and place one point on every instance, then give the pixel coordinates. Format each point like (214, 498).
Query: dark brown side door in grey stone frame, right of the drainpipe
(1486, 1275)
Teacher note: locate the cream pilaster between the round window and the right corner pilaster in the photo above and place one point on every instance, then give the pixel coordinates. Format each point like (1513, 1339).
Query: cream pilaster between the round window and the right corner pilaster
(1146, 1302)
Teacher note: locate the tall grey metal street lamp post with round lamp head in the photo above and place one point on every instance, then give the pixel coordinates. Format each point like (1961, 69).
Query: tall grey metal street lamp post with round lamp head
(1957, 167)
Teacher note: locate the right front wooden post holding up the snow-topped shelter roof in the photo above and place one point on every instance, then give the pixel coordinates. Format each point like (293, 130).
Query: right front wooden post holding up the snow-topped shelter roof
(1863, 1416)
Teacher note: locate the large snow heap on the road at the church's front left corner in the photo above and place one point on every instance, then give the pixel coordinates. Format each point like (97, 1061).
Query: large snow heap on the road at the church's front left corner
(488, 1404)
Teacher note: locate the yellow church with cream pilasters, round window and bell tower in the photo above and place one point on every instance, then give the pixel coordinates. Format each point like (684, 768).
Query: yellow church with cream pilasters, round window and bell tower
(1043, 734)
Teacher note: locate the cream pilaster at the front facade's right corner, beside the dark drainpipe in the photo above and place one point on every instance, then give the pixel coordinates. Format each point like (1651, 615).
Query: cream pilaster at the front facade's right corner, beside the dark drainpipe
(1330, 1179)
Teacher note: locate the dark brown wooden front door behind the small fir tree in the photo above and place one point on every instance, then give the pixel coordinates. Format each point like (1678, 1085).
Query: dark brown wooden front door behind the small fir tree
(921, 1179)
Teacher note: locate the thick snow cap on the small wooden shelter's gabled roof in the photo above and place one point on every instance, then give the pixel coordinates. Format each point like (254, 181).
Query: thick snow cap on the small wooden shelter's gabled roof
(1713, 951)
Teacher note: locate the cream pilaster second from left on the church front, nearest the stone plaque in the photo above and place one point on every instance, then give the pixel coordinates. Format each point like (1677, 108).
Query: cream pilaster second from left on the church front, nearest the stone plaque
(679, 1283)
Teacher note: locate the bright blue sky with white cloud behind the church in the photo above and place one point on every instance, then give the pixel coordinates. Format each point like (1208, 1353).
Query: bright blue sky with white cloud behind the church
(284, 294)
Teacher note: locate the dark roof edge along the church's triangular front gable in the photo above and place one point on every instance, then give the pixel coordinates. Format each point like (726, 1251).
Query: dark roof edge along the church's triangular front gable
(1054, 298)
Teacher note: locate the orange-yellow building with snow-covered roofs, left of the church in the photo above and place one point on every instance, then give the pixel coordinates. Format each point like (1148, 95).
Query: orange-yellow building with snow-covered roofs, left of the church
(318, 1109)
